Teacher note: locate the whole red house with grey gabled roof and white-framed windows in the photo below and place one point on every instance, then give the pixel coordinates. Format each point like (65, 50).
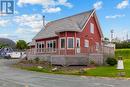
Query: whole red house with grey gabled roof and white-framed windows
(77, 34)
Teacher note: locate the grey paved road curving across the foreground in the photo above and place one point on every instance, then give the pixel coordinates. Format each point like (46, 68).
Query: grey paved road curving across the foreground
(10, 77)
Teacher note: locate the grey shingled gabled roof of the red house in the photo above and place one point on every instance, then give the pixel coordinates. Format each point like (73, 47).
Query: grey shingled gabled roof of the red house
(71, 23)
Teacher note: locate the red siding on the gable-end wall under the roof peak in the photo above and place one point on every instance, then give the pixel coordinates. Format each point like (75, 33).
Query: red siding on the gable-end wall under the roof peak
(86, 34)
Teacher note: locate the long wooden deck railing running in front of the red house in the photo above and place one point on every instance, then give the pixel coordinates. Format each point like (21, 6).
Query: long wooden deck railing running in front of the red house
(74, 51)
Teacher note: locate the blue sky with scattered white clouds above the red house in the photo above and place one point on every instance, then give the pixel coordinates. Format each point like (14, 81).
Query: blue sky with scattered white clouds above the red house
(27, 20)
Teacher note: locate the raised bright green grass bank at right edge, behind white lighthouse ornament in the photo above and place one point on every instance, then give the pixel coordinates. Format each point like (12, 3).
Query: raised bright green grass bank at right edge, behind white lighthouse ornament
(125, 53)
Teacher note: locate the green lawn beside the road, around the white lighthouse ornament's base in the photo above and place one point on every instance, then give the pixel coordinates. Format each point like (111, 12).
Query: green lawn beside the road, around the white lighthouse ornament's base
(110, 71)
